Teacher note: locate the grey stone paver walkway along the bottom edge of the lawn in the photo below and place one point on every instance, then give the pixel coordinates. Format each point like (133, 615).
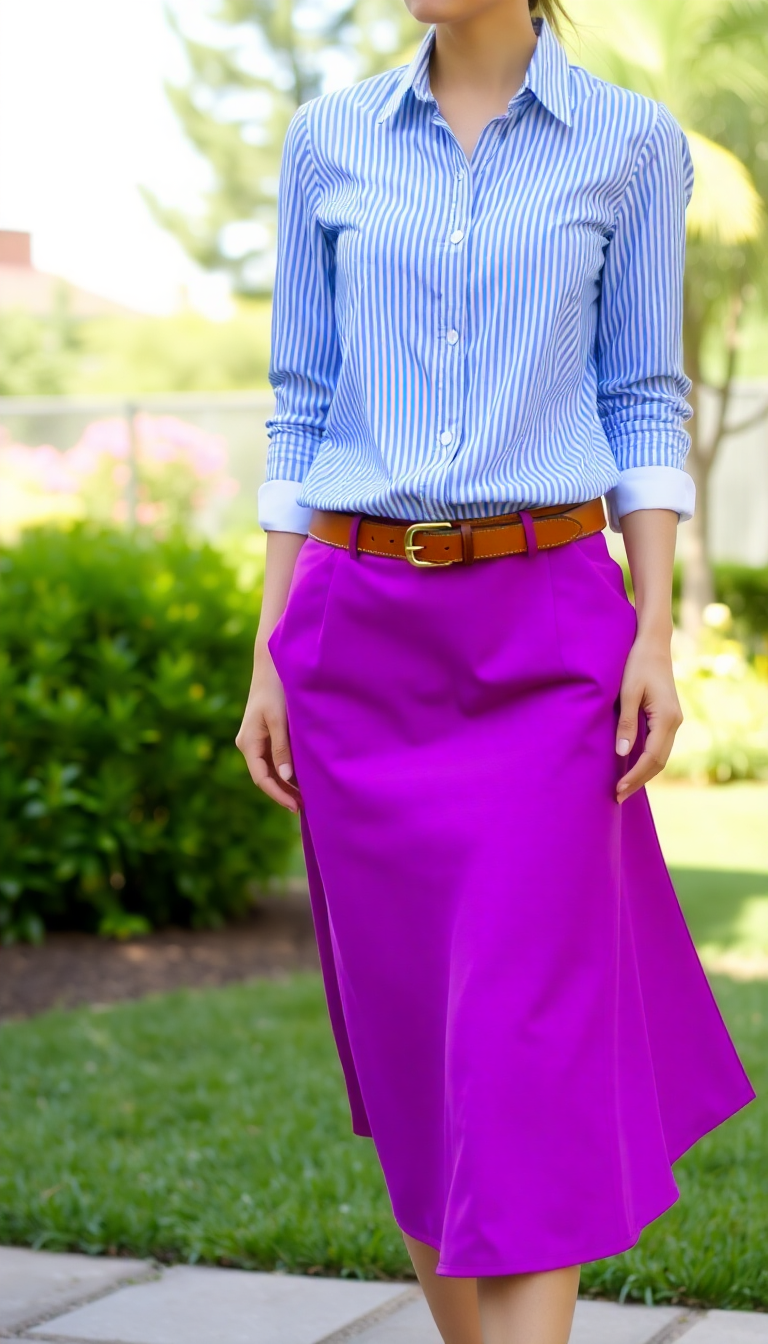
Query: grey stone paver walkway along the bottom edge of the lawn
(84, 1300)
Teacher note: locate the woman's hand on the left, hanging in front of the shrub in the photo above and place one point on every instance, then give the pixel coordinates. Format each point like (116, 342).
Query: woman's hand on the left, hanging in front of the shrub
(263, 736)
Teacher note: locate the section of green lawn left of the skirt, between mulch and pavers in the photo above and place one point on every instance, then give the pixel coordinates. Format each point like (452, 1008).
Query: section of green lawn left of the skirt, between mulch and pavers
(197, 1126)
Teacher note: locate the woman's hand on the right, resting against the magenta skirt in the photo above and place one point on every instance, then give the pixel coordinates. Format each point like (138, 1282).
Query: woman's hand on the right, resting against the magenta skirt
(648, 685)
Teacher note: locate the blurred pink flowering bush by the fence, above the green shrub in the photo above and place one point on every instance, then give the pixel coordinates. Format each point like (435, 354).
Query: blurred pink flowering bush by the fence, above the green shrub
(157, 471)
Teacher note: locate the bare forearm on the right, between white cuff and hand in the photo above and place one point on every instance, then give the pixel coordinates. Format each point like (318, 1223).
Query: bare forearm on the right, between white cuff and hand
(650, 536)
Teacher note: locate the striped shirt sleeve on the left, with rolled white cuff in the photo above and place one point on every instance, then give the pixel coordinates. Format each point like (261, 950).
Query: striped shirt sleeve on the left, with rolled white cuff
(305, 353)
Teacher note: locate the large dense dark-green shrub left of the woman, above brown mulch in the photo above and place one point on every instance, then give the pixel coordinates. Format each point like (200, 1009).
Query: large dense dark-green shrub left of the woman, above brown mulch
(124, 666)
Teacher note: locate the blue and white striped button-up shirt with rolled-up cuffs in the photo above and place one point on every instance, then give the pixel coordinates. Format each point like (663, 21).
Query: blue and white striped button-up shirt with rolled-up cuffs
(458, 339)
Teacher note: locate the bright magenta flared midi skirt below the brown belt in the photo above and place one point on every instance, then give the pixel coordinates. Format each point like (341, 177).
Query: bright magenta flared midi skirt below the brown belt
(524, 1023)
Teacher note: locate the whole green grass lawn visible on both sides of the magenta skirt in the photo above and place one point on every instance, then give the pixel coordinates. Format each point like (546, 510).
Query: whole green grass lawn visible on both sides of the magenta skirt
(215, 1126)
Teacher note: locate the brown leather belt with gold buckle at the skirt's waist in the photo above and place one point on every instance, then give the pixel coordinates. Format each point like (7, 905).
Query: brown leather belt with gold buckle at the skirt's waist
(459, 541)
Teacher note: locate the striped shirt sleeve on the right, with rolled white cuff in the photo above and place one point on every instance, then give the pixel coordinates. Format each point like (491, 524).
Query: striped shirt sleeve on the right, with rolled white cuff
(642, 385)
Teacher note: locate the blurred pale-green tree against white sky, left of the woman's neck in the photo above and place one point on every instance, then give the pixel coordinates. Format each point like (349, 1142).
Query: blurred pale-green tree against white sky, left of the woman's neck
(243, 91)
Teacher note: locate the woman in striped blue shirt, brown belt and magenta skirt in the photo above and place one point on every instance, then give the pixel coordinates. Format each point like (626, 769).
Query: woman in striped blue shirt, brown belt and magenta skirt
(477, 337)
